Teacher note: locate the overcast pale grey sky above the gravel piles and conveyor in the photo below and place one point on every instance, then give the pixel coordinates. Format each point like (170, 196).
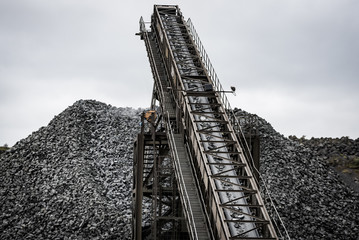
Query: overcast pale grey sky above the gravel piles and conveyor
(294, 63)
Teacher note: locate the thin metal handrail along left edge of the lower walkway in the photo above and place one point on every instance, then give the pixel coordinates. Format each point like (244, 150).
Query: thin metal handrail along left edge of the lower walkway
(186, 200)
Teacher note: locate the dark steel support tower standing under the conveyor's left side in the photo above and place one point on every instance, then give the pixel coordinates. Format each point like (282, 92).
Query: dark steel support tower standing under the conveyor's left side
(155, 181)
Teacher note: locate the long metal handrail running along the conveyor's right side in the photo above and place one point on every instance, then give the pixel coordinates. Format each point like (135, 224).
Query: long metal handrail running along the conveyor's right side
(223, 98)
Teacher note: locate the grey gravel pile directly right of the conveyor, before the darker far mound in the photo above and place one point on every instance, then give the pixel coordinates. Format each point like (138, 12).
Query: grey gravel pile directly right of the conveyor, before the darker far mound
(310, 197)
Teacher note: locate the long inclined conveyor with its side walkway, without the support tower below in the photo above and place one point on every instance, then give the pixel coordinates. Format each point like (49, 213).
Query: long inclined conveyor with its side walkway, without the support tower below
(219, 196)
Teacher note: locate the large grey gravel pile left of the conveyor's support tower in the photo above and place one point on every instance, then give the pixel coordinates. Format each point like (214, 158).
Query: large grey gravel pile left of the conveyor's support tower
(71, 179)
